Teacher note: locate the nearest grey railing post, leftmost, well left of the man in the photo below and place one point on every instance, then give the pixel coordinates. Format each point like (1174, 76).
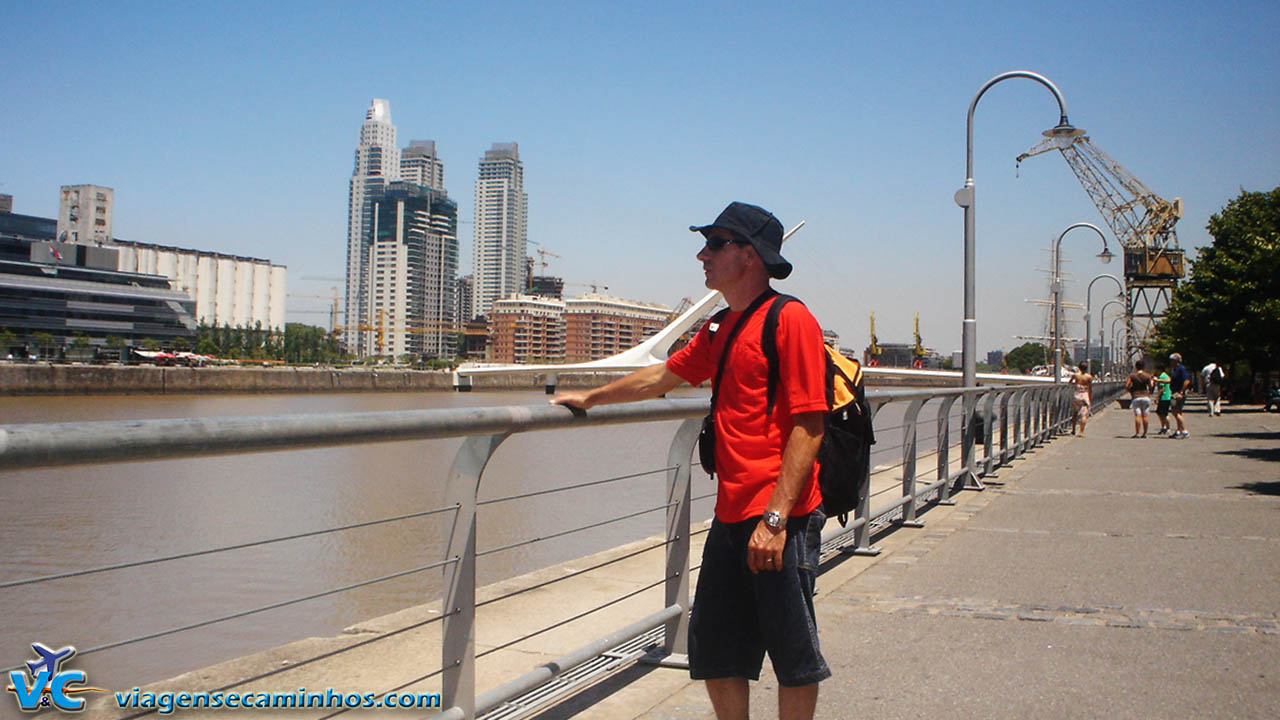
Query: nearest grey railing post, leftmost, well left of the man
(459, 651)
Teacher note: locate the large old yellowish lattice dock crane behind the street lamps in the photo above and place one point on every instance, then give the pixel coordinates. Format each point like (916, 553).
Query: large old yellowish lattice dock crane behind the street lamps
(1142, 221)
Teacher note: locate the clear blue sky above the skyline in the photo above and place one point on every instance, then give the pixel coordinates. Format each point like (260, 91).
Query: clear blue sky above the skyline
(232, 127)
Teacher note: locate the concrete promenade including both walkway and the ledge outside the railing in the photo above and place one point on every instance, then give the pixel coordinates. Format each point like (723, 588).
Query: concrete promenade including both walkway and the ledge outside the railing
(1108, 577)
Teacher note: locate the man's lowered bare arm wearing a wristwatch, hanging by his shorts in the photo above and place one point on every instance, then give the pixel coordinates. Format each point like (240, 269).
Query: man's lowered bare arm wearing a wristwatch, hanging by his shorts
(798, 459)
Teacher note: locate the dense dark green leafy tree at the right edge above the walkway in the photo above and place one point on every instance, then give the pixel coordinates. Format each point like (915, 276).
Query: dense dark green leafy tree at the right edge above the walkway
(1229, 311)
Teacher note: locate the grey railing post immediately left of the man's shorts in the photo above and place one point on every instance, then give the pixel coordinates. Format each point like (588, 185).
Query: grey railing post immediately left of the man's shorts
(675, 646)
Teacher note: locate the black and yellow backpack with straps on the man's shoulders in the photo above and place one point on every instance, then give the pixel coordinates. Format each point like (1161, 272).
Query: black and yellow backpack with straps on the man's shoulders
(844, 457)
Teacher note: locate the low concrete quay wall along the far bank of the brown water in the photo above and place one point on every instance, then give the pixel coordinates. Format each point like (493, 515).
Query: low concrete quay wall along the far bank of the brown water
(43, 379)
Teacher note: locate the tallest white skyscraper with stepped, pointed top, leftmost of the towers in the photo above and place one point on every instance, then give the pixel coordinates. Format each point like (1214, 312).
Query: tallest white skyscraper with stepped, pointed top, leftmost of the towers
(377, 165)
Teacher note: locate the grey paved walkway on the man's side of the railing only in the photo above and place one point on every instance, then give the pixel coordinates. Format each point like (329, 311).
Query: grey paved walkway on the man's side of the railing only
(1108, 578)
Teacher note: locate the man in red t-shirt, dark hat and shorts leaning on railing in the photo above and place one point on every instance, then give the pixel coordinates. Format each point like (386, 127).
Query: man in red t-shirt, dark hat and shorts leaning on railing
(756, 586)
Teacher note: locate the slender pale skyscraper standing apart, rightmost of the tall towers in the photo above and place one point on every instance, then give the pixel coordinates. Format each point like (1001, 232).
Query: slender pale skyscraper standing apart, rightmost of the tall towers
(501, 227)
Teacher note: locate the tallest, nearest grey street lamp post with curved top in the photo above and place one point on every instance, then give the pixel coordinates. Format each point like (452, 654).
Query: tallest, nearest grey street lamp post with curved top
(967, 199)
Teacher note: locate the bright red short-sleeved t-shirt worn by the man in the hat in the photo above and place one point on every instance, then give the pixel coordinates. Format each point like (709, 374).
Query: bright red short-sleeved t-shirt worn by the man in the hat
(749, 444)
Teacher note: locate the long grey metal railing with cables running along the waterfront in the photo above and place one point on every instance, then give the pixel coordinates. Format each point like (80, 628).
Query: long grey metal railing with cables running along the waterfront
(1008, 422)
